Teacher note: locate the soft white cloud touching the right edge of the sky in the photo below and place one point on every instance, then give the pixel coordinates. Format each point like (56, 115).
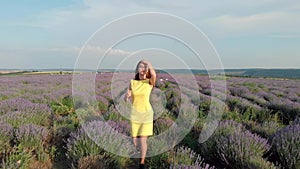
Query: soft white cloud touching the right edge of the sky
(257, 24)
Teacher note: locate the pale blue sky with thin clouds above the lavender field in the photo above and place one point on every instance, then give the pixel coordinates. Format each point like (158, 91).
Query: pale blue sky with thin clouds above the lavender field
(244, 33)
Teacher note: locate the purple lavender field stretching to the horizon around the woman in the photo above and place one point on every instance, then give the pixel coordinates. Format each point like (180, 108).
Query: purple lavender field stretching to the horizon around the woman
(40, 127)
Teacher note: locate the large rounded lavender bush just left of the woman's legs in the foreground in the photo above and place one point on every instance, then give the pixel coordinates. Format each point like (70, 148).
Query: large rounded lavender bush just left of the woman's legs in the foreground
(96, 138)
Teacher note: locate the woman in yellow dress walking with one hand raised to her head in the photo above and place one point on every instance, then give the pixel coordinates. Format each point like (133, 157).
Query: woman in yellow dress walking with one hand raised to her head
(141, 117)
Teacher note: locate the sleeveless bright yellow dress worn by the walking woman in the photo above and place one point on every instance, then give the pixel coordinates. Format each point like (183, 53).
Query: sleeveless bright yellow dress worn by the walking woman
(141, 117)
